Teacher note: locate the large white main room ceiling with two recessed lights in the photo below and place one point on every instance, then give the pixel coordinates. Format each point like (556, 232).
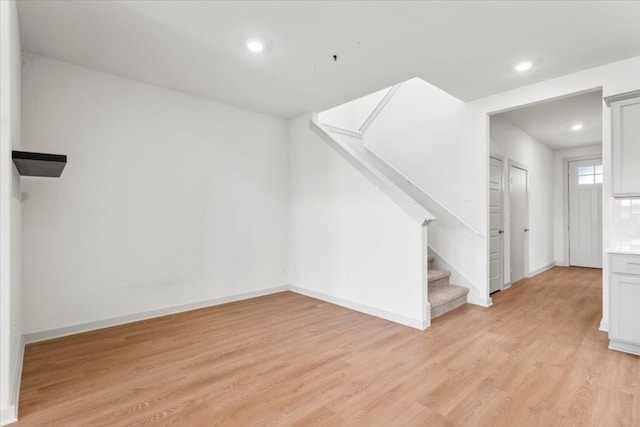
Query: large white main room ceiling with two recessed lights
(467, 48)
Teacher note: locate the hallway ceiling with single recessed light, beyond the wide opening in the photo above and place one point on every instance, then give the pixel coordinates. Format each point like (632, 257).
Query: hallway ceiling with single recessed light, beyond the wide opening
(550, 122)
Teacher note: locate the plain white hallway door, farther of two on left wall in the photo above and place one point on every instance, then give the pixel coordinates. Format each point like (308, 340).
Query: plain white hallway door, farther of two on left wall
(519, 216)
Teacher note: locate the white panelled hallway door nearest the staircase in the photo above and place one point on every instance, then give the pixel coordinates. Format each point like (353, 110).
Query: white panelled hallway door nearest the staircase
(495, 225)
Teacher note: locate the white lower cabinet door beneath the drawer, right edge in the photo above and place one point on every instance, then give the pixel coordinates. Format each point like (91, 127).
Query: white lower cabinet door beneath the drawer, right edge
(625, 308)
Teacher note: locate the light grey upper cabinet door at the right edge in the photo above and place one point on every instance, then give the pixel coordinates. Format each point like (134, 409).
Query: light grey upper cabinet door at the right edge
(626, 147)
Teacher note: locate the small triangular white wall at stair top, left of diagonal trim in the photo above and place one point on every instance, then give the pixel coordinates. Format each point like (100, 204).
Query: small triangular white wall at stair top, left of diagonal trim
(352, 115)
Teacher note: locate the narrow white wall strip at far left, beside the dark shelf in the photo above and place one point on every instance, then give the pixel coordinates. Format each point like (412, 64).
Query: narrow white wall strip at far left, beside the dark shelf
(10, 206)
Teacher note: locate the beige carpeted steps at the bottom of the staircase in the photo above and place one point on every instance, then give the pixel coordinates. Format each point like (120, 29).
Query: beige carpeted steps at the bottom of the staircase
(443, 296)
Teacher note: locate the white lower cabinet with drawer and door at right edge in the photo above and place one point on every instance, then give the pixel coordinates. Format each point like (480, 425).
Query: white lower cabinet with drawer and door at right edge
(624, 308)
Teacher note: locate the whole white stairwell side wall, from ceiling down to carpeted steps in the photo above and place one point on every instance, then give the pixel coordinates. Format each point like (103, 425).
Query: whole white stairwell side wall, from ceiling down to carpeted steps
(436, 141)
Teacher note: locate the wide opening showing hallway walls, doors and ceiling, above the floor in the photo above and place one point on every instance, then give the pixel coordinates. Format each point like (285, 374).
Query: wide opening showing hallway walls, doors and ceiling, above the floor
(531, 227)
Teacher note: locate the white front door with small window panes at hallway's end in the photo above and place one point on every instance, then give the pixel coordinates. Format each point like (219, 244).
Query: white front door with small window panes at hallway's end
(585, 213)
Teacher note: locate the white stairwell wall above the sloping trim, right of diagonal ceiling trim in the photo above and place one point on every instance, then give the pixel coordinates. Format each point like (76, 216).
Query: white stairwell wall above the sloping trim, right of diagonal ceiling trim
(433, 139)
